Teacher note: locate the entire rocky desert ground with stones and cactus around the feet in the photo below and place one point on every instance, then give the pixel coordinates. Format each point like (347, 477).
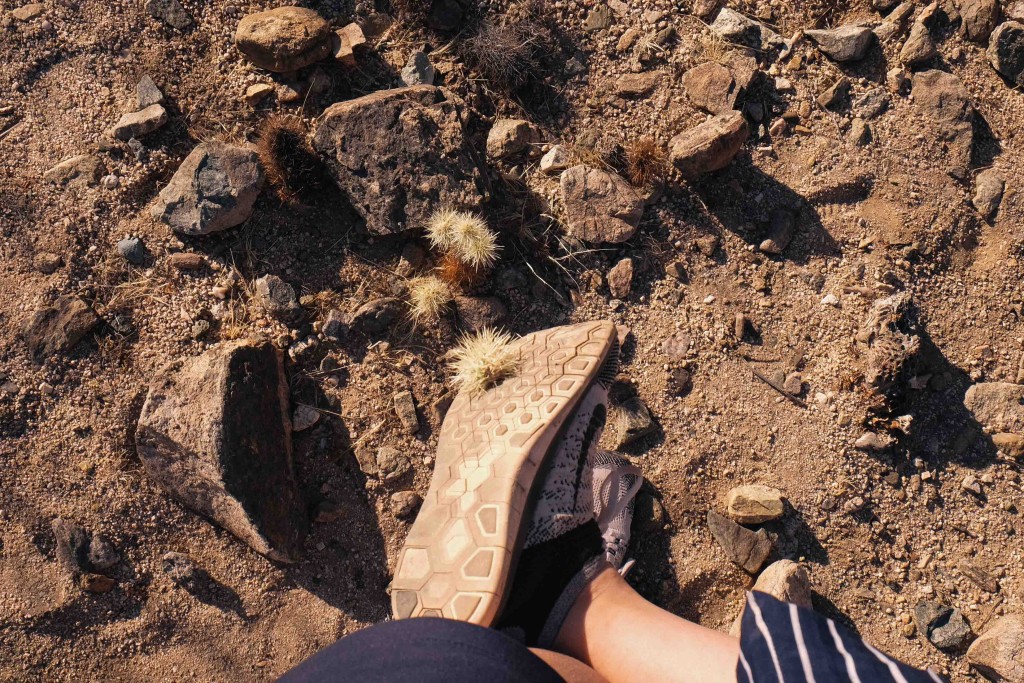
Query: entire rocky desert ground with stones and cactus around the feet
(224, 367)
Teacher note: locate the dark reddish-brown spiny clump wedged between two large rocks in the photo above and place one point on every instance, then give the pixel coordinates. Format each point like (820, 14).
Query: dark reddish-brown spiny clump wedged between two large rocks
(289, 161)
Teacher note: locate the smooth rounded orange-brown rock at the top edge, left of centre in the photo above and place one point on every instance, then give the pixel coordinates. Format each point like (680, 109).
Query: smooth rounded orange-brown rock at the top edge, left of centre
(284, 39)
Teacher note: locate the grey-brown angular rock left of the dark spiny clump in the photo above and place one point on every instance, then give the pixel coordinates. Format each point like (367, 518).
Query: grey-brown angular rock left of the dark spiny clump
(215, 189)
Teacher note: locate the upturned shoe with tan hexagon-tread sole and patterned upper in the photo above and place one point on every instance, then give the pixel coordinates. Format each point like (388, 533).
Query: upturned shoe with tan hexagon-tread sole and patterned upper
(511, 472)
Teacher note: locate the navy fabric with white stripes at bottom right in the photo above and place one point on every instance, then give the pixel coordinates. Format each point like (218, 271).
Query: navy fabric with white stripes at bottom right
(782, 643)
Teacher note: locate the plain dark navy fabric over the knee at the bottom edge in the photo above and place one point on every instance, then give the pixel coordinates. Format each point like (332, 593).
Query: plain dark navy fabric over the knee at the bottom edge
(424, 651)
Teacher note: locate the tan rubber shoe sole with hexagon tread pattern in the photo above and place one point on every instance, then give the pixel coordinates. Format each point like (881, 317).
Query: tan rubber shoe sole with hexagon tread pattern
(462, 550)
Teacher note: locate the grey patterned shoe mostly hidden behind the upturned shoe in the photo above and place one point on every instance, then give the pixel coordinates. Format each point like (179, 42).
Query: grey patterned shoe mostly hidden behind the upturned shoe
(617, 483)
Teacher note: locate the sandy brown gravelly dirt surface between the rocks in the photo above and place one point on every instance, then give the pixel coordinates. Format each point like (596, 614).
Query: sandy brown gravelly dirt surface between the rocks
(878, 532)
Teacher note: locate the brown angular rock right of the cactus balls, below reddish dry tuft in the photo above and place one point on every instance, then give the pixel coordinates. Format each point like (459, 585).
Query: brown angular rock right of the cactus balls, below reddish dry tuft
(600, 206)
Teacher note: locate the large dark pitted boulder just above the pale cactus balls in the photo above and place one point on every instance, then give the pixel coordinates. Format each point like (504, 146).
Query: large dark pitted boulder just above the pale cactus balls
(399, 155)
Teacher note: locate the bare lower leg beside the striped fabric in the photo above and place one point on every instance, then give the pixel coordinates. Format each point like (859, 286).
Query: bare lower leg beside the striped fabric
(625, 638)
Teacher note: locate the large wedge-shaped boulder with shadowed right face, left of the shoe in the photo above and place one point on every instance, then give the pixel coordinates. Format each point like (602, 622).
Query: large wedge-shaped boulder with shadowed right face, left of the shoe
(215, 433)
